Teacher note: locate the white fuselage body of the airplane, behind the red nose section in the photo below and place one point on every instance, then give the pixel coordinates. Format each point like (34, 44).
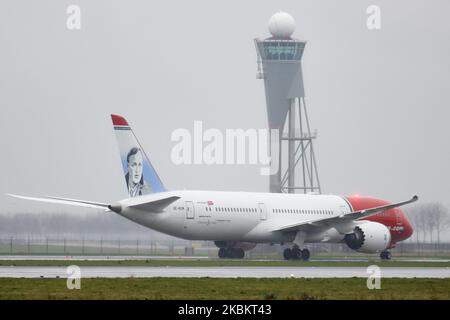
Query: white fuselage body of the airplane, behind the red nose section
(239, 216)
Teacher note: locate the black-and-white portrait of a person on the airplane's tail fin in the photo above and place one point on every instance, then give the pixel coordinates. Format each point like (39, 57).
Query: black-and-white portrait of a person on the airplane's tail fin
(134, 178)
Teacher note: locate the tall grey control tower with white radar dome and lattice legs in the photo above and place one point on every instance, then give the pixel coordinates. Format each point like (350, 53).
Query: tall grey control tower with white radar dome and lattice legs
(279, 65)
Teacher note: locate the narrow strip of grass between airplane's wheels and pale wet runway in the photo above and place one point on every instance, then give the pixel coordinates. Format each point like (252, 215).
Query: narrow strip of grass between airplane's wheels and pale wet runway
(221, 263)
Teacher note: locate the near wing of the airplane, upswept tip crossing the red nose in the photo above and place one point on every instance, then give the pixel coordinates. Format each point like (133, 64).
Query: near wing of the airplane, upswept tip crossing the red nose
(327, 222)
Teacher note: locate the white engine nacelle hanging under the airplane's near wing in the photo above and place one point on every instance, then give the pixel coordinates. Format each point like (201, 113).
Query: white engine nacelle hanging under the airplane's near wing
(369, 237)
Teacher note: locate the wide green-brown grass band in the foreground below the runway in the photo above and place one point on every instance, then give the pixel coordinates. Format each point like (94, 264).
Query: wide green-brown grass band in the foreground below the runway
(212, 288)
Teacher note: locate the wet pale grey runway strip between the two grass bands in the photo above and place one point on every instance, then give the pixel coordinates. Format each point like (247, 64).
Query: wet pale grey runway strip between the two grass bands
(222, 272)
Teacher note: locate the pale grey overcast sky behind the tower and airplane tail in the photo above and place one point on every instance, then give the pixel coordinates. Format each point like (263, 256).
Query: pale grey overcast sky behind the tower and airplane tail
(379, 99)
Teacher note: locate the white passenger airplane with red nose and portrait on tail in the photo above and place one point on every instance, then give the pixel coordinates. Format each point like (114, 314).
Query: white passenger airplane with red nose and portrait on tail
(237, 221)
